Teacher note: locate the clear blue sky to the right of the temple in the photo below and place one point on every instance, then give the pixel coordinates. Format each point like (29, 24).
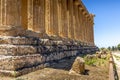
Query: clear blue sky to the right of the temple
(107, 21)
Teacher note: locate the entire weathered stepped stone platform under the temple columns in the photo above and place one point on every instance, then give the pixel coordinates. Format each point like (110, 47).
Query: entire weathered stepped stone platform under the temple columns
(21, 55)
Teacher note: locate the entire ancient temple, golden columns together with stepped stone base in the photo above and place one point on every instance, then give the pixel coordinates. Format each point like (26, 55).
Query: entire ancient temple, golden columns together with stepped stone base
(36, 32)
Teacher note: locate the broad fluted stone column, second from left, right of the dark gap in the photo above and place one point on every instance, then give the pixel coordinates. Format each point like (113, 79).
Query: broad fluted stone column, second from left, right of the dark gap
(36, 16)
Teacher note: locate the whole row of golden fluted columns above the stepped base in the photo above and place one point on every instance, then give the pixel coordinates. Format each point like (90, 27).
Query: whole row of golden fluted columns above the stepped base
(63, 18)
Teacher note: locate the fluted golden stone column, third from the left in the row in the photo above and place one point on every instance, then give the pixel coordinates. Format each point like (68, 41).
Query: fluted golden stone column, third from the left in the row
(51, 17)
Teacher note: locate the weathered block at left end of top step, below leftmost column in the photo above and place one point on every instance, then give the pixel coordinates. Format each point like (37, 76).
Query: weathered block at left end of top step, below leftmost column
(18, 40)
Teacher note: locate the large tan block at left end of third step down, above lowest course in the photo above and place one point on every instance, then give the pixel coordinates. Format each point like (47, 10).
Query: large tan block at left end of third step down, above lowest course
(20, 62)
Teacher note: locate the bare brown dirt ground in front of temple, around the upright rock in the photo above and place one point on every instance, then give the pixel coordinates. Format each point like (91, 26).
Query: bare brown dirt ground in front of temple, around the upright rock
(60, 71)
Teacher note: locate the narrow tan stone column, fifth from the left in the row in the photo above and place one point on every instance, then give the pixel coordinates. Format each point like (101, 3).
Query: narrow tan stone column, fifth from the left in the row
(70, 19)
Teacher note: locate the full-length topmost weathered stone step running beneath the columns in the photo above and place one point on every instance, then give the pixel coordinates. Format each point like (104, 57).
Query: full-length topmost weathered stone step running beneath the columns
(33, 41)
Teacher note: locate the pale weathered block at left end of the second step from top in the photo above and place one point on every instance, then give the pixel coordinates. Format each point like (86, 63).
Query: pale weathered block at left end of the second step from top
(6, 49)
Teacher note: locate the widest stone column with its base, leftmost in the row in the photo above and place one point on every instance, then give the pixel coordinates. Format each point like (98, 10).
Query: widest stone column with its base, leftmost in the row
(10, 18)
